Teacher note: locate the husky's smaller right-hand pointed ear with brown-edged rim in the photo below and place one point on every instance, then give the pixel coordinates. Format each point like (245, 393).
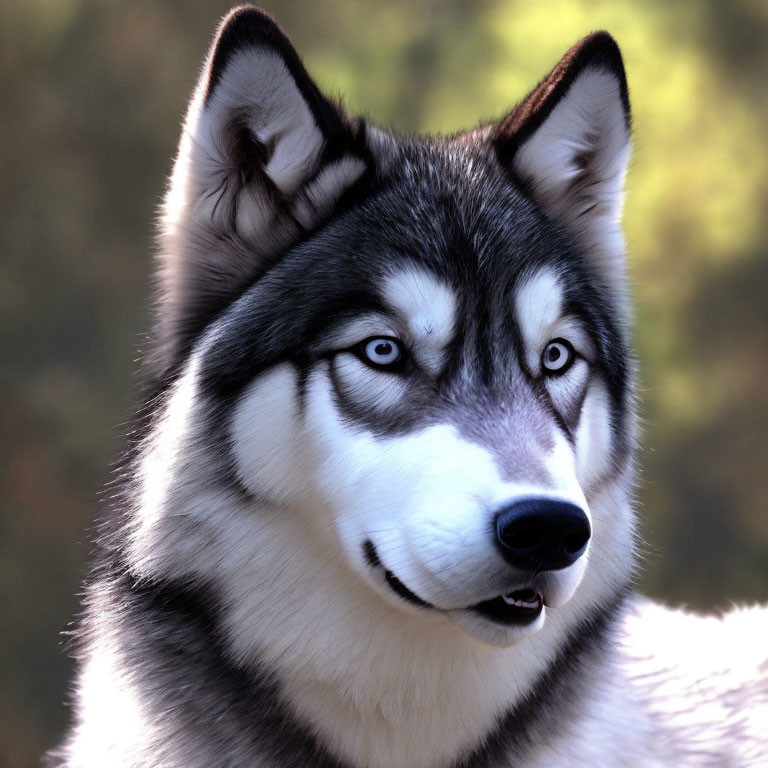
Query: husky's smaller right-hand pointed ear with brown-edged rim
(568, 144)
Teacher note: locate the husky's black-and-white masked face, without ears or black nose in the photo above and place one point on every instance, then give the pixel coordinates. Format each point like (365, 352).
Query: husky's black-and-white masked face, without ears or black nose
(413, 405)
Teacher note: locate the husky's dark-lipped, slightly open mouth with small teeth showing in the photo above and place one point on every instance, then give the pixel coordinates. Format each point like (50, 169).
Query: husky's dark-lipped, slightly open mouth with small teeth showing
(518, 608)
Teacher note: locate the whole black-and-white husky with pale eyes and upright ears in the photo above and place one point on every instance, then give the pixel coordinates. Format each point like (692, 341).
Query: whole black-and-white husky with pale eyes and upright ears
(377, 507)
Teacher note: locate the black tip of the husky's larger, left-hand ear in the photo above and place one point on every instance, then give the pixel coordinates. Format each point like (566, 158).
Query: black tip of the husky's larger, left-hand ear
(246, 26)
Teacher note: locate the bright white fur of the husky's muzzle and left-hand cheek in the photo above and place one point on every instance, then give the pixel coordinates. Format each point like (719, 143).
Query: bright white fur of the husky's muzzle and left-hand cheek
(426, 499)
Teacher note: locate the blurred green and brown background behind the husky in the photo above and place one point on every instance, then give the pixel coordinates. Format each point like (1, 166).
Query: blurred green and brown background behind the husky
(91, 97)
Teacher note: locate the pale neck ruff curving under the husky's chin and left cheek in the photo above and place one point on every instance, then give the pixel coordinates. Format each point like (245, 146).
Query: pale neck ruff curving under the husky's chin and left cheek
(381, 685)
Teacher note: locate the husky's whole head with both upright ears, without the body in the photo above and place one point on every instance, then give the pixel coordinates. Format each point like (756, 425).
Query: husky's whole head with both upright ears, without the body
(393, 372)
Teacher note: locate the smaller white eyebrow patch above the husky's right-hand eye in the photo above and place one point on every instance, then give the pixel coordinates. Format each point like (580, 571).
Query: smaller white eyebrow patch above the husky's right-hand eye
(538, 307)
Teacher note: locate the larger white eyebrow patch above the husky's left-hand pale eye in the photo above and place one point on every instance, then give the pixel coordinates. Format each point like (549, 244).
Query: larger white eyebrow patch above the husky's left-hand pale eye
(428, 308)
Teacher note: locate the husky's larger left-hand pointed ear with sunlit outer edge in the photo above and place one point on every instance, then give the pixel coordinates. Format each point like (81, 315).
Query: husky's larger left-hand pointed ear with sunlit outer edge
(264, 158)
